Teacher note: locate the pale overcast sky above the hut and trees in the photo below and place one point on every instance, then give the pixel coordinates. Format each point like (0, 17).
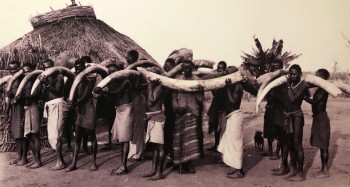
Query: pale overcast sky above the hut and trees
(214, 29)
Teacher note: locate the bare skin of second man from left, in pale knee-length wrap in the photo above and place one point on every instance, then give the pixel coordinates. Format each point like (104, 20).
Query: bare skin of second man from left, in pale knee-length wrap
(34, 138)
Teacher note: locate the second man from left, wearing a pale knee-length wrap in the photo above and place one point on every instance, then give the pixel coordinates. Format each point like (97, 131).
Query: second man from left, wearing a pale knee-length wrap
(32, 119)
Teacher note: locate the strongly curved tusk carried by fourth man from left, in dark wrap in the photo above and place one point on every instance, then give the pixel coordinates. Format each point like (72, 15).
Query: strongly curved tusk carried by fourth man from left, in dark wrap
(99, 69)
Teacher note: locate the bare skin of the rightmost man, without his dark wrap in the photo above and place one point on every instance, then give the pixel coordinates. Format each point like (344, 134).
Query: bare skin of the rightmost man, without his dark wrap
(319, 104)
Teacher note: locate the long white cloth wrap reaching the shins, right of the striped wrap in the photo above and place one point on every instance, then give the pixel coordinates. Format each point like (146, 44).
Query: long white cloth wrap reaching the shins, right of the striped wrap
(231, 143)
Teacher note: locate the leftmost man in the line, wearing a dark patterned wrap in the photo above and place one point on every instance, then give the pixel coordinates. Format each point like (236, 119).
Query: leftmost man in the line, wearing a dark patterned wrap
(17, 117)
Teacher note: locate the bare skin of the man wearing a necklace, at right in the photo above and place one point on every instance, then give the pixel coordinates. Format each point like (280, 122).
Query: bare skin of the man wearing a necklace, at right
(296, 90)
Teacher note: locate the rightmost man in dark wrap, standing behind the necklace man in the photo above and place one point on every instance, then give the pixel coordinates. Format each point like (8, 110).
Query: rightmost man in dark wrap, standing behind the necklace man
(320, 131)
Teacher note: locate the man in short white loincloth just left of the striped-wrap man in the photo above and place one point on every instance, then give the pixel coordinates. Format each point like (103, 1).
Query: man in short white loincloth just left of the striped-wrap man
(155, 129)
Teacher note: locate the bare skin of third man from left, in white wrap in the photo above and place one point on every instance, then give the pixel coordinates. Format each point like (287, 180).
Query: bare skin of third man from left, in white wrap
(53, 89)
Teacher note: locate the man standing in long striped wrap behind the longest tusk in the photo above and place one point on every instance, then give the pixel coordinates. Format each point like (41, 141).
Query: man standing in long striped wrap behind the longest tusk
(187, 108)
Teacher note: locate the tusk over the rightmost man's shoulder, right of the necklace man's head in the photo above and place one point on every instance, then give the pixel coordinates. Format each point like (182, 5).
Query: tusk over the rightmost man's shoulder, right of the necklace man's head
(324, 84)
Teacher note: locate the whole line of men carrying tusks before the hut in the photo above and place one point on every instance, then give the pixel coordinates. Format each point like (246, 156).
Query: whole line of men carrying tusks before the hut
(173, 118)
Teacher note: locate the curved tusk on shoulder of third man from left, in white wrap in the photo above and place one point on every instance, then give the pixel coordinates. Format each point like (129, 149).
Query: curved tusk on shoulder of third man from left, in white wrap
(54, 71)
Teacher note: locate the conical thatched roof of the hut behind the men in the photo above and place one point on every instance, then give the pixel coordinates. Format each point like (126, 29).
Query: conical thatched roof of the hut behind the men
(67, 34)
